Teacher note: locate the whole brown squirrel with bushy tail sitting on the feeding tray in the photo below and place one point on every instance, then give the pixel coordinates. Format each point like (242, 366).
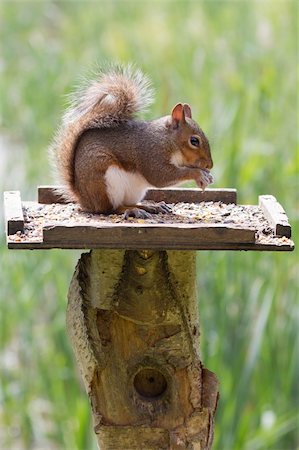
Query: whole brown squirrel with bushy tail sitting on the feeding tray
(106, 158)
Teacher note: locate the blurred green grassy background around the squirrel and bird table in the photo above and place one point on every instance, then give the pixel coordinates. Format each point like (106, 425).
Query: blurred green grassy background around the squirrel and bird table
(236, 64)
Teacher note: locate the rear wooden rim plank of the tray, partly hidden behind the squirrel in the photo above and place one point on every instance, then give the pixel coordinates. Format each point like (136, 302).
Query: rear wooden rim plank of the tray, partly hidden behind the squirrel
(50, 194)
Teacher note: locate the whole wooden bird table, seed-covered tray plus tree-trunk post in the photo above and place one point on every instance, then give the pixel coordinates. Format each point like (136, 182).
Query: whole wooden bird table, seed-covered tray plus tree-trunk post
(132, 313)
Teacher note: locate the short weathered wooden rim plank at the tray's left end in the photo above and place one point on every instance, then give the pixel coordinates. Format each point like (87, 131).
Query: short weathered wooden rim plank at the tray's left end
(13, 212)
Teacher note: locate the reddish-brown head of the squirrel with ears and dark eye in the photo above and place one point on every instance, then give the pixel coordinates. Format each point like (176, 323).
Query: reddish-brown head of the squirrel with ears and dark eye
(194, 148)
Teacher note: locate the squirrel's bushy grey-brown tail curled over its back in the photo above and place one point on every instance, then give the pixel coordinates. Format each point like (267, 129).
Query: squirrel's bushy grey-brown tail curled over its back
(113, 96)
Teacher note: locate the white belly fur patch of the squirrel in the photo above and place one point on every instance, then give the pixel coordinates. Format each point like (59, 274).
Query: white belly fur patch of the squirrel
(124, 188)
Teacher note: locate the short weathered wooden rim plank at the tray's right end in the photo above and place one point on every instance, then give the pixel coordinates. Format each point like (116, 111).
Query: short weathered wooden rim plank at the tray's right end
(276, 215)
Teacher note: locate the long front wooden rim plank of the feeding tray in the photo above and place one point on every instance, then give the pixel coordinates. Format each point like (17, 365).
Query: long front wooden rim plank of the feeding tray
(168, 236)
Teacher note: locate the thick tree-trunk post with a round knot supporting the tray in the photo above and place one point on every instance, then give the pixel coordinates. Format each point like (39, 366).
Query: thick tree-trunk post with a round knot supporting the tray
(133, 321)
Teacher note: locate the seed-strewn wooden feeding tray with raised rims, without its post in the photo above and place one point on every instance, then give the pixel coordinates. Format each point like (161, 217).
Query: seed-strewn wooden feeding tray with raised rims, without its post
(50, 223)
